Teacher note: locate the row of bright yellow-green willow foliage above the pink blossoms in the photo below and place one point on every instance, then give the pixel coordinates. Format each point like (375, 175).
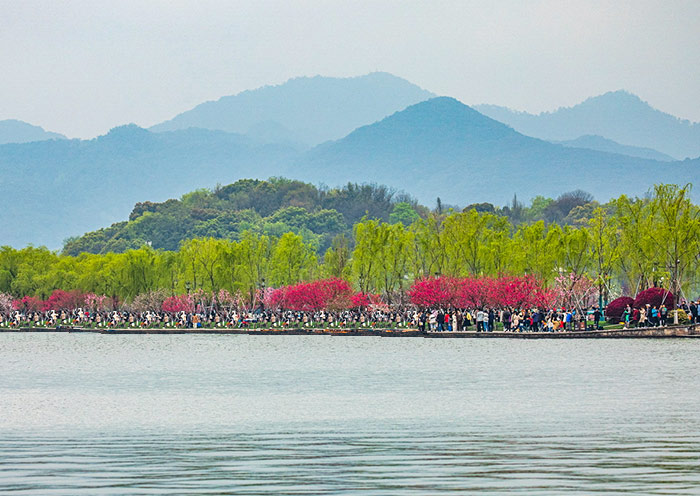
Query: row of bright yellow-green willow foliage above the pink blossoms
(624, 246)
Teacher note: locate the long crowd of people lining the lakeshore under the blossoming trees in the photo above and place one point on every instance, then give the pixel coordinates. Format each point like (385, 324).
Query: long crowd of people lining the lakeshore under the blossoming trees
(425, 320)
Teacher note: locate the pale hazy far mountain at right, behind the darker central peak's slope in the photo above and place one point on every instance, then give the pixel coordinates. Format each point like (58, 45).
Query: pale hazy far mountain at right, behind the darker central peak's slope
(618, 115)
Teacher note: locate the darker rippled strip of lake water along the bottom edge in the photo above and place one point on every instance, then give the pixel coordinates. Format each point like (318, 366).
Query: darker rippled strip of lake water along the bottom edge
(325, 462)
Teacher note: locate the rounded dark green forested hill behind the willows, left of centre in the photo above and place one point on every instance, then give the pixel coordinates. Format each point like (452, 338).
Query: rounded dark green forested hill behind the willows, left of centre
(271, 207)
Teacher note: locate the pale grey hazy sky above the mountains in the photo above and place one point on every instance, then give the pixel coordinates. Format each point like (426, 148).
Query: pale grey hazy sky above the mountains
(83, 67)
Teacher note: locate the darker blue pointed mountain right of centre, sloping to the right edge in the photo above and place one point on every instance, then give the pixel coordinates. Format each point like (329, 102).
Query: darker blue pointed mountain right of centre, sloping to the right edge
(444, 148)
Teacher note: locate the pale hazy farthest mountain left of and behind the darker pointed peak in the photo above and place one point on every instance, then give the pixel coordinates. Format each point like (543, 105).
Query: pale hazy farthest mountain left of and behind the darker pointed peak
(315, 109)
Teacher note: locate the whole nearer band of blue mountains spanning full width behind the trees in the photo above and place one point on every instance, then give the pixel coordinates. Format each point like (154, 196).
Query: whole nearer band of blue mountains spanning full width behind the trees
(50, 190)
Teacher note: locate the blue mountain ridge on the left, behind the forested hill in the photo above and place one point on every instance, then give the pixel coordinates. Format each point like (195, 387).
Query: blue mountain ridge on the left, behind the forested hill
(51, 190)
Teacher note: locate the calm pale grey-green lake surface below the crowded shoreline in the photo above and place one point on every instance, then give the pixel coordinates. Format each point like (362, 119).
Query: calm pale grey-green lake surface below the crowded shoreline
(84, 414)
